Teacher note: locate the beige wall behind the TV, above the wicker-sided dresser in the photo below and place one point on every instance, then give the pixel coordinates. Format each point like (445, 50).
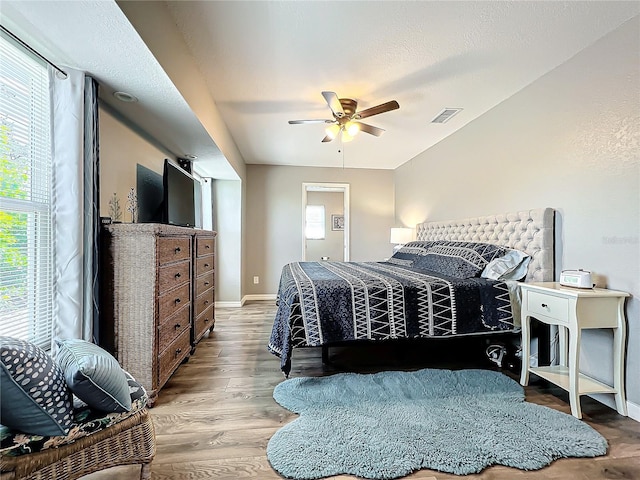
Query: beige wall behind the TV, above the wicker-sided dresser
(121, 149)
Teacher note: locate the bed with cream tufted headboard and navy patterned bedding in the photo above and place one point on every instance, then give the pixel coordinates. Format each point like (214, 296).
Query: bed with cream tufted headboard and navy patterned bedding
(457, 278)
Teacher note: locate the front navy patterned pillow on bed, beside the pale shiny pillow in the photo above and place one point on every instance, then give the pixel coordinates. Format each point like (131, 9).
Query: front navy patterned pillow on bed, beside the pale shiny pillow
(459, 259)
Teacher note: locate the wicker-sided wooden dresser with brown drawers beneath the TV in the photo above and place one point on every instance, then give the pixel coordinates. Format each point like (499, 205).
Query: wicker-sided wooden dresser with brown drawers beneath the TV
(157, 297)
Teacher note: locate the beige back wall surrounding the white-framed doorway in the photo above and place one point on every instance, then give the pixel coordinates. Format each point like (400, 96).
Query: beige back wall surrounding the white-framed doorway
(274, 218)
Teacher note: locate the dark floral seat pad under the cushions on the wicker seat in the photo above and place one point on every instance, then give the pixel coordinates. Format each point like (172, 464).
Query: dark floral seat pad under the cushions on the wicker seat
(86, 422)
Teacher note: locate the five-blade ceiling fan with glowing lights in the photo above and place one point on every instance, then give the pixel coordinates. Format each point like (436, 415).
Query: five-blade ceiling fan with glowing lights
(346, 118)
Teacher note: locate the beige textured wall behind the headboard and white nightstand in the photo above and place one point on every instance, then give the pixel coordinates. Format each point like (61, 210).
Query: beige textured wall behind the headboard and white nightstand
(568, 141)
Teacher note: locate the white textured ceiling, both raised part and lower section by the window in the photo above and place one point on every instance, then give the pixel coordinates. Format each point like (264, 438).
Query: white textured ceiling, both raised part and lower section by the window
(267, 62)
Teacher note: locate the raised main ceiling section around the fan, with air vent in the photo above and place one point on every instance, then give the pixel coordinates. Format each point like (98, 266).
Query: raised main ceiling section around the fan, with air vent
(267, 63)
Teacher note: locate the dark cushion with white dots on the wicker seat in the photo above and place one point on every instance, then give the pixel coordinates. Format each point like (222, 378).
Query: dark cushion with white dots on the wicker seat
(34, 397)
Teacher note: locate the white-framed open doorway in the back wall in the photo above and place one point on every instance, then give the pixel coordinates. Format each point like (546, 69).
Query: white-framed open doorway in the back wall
(325, 235)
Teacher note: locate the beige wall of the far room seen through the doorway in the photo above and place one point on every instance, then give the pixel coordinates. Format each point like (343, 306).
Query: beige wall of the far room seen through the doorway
(332, 245)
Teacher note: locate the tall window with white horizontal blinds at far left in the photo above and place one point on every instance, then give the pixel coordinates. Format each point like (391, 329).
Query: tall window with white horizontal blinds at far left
(26, 272)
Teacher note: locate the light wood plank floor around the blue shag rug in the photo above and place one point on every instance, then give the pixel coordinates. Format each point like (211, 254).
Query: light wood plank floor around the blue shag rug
(215, 416)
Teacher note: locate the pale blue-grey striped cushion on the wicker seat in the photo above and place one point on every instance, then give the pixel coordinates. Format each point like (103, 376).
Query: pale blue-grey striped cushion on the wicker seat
(93, 375)
